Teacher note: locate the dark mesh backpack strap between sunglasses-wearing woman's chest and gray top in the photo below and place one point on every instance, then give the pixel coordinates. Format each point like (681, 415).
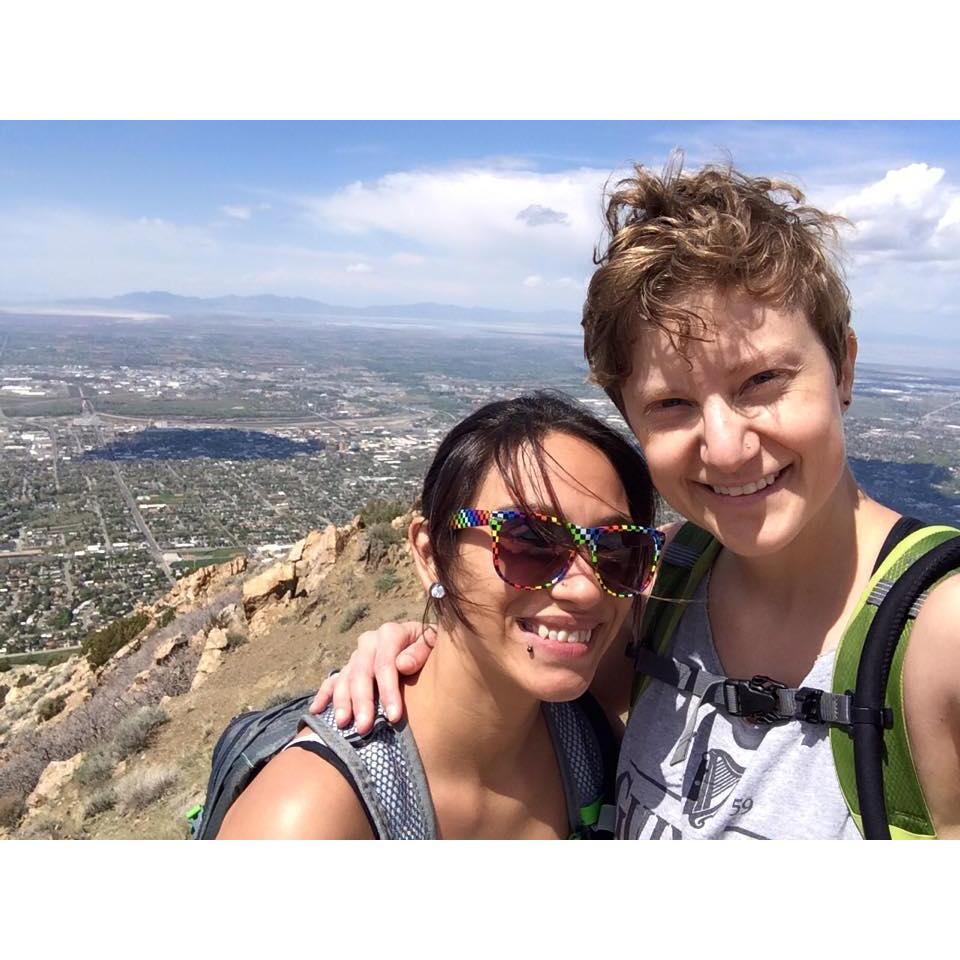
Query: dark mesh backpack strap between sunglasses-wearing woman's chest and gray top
(587, 754)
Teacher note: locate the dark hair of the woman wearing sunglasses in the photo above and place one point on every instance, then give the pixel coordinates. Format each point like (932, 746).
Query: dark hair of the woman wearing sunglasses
(503, 436)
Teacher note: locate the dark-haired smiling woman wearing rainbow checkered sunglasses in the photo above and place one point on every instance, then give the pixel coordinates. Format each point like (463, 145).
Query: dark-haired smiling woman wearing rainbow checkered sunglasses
(534, 536)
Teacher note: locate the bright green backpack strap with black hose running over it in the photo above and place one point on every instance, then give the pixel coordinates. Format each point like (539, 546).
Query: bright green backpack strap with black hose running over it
(907, 813)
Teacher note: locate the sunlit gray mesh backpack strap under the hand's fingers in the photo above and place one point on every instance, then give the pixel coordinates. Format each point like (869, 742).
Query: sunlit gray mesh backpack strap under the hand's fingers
(386, 767)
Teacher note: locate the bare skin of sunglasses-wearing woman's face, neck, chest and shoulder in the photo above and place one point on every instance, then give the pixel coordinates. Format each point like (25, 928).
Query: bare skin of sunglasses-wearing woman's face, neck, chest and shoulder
(475, 708)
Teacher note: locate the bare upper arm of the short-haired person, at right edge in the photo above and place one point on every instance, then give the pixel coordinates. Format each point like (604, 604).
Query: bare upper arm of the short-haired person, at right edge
(931, 683)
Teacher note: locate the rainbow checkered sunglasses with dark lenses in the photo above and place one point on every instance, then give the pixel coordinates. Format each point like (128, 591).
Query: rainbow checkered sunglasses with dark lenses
(534, 551)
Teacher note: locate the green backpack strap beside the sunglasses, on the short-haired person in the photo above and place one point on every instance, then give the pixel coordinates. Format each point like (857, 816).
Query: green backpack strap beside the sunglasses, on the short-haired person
(684, 564)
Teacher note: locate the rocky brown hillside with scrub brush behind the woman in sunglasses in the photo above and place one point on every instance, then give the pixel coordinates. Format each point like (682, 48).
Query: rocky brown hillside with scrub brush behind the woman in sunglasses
(123, 750)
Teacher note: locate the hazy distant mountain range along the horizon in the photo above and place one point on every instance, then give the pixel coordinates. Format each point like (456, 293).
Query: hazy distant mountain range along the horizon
(268, 305)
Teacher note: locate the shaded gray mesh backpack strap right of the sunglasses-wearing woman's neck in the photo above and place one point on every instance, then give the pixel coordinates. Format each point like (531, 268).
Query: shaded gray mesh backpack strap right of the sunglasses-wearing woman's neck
(579, 757)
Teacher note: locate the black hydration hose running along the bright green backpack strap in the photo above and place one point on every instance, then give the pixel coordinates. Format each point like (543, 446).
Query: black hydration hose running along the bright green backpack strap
(870, 695)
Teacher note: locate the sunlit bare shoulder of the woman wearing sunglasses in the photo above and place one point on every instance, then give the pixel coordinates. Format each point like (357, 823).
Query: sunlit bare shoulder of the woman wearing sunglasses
(297, 796)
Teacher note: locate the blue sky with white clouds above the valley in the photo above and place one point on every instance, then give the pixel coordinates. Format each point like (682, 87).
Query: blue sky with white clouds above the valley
(473, 213)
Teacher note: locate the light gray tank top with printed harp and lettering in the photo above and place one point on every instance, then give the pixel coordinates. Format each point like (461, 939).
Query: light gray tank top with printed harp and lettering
(739, 779)
